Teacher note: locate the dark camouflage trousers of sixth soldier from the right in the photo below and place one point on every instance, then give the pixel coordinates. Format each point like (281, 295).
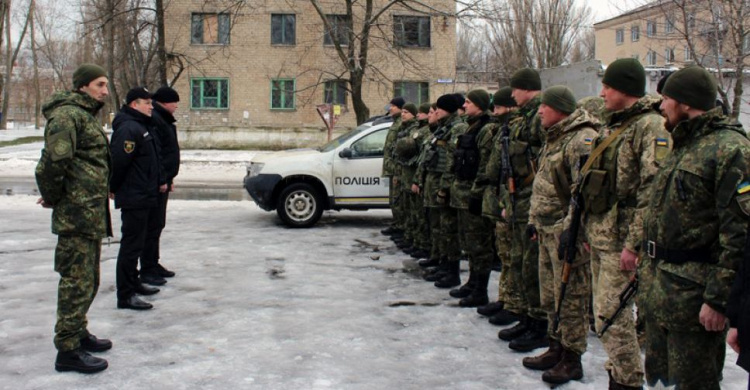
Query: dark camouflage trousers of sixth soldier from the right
(475, 239)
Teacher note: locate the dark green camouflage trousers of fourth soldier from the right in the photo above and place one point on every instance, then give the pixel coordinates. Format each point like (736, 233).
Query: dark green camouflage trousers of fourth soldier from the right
(524, 272)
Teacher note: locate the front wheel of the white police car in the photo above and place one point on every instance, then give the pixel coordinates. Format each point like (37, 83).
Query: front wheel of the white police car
(299, 205)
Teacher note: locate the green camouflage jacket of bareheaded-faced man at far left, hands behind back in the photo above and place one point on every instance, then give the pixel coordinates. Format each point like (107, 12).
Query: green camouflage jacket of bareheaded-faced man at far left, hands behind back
(74, 169)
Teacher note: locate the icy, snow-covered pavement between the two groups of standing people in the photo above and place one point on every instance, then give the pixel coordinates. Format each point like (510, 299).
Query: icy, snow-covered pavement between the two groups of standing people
(258, 306)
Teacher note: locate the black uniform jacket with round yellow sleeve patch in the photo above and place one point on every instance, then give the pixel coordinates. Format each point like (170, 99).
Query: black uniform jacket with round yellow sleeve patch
(136, 168)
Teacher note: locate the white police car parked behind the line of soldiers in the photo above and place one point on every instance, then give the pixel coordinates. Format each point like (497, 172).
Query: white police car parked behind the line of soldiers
(345, 173)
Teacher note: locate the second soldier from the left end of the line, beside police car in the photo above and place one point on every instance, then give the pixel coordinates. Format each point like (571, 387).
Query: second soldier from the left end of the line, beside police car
(403, 151)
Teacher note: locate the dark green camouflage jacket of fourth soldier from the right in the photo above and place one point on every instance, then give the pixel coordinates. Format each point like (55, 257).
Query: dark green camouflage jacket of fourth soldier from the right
(526, 141)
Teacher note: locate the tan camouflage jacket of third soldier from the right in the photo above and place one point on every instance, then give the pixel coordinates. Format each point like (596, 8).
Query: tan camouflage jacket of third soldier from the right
(559, 161)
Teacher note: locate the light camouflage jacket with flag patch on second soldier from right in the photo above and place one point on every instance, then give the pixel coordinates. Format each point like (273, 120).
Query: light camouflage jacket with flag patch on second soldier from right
(640, 147)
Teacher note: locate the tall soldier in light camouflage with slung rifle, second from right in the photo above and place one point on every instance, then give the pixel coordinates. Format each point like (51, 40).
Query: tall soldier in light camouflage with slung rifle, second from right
(616, 188)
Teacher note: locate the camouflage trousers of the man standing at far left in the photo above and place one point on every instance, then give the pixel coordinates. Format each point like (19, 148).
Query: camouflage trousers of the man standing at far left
(77, 262)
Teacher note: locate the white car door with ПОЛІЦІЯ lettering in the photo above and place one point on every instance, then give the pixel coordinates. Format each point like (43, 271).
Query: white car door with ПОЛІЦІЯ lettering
(357, 180)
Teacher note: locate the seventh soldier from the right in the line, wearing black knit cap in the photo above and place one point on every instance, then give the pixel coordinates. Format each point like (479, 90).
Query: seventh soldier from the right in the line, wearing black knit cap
(437, 192)
